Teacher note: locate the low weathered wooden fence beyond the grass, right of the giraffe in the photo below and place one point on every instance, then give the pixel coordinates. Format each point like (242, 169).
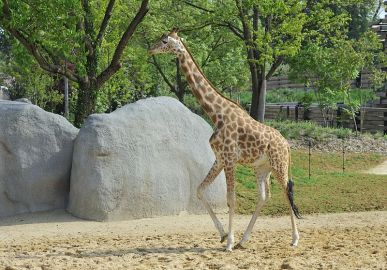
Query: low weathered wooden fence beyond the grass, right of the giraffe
(369, 119)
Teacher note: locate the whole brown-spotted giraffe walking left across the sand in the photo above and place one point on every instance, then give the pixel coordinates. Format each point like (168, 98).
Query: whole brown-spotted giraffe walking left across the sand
(237, 138)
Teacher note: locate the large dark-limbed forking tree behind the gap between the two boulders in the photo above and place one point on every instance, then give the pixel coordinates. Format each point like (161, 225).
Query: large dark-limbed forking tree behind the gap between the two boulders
(55, 32)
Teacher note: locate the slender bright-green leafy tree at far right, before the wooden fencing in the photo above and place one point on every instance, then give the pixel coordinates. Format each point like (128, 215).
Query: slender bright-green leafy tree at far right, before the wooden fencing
(334, 60)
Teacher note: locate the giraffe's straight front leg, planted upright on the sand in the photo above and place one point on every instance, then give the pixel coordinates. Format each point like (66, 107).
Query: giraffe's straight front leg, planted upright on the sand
(231, 204)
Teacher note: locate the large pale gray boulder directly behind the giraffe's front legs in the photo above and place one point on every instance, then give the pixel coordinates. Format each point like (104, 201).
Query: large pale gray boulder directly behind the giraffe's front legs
(145, 159)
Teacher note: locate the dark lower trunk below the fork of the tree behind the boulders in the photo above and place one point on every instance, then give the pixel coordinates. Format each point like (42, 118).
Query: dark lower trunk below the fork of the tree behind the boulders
(87, 98)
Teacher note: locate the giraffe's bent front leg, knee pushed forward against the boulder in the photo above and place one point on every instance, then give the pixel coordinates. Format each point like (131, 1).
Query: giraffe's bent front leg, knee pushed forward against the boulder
(214, 171)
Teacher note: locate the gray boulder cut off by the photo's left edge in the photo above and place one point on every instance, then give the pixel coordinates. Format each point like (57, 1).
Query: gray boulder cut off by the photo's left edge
(35, 158)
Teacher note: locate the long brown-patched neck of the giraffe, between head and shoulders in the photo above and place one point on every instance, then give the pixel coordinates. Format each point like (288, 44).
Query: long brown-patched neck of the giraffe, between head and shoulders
(210, 100)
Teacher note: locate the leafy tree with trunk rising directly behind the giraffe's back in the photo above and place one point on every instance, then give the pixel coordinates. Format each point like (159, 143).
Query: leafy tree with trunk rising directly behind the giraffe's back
(272, 32)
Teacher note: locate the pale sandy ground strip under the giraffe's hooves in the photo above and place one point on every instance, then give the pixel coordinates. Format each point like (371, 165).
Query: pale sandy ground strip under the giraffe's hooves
(56, 240)
